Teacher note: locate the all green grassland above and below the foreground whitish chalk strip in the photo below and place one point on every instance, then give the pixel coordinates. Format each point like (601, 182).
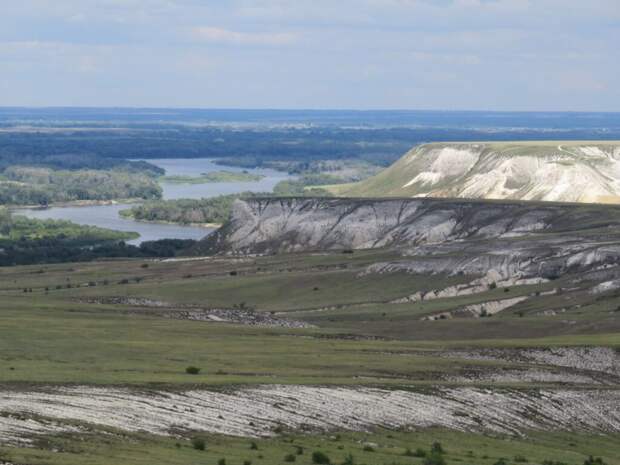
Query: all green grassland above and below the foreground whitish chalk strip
(59, 327)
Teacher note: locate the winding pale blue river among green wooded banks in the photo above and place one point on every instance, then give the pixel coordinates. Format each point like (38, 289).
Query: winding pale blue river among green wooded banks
(106, 216)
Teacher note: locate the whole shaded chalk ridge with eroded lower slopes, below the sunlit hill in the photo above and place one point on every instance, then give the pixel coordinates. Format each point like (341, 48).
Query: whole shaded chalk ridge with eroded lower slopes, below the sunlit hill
(514, 243)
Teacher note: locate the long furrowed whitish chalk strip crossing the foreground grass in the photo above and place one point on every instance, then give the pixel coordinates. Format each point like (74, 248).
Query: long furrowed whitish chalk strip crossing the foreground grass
(258, 411)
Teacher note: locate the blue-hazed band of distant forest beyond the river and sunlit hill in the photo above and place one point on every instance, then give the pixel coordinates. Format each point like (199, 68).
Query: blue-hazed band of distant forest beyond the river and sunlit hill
(111, 147)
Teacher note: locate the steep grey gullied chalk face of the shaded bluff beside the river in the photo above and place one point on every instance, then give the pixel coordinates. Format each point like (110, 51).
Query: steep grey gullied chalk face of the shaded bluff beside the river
(268, 225)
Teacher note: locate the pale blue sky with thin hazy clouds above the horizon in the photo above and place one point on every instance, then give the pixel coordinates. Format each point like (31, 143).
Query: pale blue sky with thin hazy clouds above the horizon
(538, 55)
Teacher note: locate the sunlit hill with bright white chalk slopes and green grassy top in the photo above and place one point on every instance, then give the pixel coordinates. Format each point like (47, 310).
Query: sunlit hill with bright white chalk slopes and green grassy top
(566, 171)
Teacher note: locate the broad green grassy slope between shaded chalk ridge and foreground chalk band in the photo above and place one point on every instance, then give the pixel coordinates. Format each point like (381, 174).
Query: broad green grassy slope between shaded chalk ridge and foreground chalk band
(61, 336)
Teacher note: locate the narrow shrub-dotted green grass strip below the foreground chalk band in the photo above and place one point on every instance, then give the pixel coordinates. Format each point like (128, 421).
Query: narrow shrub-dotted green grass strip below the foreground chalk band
(380, 447)
